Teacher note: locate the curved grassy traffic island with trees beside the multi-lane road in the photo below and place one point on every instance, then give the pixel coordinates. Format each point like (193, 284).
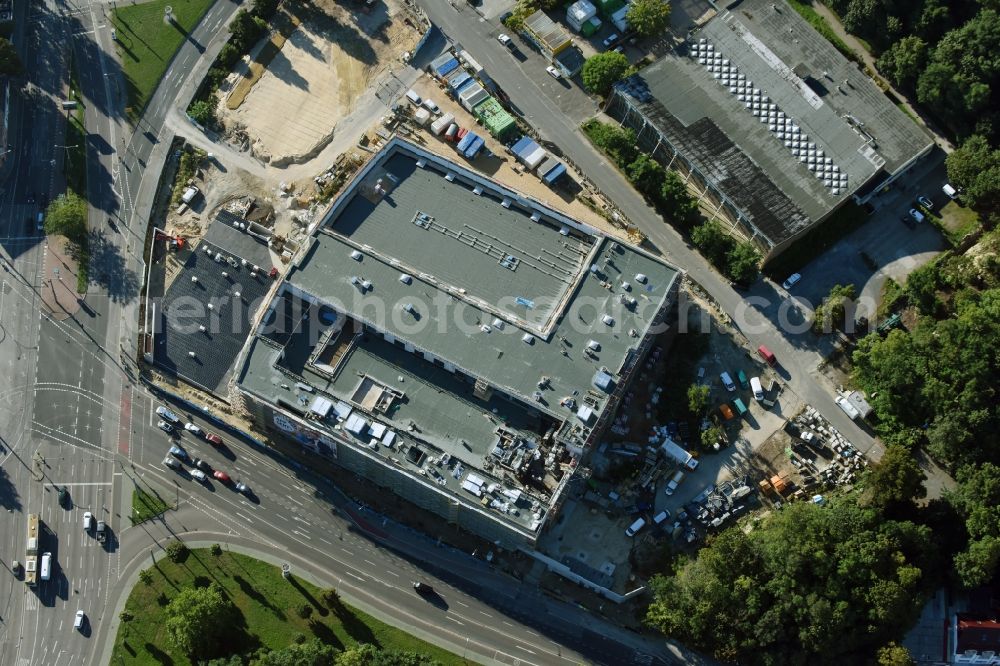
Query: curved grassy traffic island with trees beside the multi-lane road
(255, 610)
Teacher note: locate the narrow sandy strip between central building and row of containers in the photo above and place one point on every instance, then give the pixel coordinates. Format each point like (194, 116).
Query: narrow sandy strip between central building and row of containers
(502, 167)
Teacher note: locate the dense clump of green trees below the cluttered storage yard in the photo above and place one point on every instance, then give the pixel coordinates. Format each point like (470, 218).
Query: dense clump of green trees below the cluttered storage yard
(826, 584)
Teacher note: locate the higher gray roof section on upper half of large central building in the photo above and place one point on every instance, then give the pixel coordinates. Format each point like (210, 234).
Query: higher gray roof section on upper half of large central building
(451, 307)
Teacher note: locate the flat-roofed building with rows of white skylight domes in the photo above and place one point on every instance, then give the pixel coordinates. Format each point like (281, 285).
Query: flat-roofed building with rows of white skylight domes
(774, 126)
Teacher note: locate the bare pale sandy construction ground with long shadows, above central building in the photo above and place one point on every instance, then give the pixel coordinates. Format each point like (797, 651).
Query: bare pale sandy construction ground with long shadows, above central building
(321, 71)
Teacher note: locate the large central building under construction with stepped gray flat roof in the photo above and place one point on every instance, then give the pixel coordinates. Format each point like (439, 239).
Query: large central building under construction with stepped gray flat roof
(453, 341)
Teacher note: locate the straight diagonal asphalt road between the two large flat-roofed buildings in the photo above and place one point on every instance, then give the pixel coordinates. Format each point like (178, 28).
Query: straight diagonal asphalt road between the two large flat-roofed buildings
(556, 110)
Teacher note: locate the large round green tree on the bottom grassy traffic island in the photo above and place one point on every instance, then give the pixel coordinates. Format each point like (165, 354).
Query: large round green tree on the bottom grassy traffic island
(198, 620)
